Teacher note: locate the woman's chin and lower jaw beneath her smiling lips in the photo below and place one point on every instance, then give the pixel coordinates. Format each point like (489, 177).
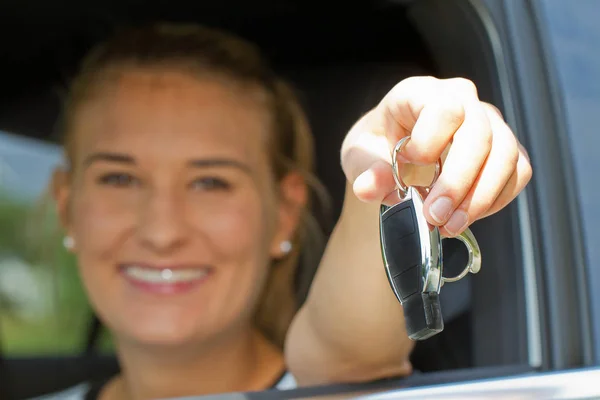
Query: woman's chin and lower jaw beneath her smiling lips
(193, 317)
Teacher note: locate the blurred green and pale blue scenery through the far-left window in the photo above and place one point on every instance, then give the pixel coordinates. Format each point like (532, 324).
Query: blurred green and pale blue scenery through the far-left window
(43, 309)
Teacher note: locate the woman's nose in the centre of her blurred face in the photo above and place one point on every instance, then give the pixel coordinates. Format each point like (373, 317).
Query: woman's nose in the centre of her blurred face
(162, 226)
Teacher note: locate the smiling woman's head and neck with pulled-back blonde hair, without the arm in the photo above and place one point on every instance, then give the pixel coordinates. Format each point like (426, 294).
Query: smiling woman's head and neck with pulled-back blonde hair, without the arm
(181, 203)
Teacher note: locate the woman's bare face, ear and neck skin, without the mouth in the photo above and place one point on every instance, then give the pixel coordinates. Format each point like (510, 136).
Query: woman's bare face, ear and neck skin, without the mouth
(163, 176)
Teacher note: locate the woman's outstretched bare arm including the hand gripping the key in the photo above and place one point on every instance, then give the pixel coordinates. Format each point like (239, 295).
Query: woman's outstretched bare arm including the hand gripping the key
(351, 327)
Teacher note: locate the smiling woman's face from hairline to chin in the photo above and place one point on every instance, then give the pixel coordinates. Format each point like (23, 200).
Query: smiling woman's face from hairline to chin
(172, 206)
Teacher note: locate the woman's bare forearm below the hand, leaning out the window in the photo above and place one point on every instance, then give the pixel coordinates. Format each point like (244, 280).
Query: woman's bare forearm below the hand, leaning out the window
(351, 314)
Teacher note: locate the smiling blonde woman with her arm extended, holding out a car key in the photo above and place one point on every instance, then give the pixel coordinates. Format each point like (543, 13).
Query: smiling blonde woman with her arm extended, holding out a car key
(185, 202)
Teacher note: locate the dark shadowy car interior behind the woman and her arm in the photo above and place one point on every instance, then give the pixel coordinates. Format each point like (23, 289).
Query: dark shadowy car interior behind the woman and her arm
(342, 61)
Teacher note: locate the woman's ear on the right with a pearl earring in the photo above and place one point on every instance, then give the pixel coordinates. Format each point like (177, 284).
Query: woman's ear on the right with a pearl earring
(293, 199)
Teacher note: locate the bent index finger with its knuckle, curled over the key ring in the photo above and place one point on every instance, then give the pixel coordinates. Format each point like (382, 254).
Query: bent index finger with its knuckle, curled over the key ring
(428, 109)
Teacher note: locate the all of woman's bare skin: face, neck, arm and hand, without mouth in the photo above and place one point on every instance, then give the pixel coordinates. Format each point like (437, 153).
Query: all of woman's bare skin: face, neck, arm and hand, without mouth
(171, 213)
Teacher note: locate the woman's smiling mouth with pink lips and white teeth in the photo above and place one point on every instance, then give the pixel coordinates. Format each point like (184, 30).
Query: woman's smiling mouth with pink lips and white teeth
(165, 280)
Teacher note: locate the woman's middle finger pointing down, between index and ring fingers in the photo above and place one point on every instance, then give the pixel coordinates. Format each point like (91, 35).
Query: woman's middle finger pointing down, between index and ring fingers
(470, 148)
